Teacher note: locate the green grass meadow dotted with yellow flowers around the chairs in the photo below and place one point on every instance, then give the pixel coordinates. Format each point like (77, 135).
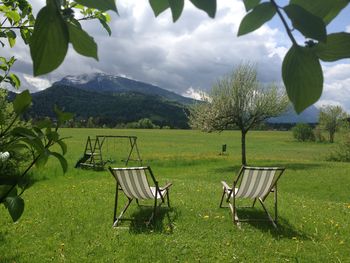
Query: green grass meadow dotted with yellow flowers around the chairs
(68, 218)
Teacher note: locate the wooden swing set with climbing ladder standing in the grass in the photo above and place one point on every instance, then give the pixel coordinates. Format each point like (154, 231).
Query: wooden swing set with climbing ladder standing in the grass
(94, 159)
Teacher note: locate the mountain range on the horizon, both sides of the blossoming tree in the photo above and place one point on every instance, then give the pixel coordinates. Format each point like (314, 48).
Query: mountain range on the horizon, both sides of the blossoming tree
(112, 100)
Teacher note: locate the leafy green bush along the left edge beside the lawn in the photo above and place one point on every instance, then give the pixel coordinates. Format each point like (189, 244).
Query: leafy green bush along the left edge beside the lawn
(21, 147)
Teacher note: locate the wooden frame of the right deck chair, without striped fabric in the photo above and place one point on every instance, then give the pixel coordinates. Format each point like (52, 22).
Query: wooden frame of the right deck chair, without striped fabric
(231, 195)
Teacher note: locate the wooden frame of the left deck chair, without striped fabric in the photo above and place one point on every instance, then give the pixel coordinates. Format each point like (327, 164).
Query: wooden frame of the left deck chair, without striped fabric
(158, 193)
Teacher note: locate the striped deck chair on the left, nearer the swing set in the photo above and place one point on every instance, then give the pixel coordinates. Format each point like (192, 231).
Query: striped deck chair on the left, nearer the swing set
(132, 181)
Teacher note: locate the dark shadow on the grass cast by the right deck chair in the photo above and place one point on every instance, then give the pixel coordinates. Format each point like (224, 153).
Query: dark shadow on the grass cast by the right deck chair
(284, 228)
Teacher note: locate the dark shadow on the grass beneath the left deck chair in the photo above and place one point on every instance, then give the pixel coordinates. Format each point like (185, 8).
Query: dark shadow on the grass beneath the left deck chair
(163, 221)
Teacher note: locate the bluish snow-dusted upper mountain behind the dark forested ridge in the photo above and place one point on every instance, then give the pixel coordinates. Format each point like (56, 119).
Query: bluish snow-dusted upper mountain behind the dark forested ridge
(103, 83)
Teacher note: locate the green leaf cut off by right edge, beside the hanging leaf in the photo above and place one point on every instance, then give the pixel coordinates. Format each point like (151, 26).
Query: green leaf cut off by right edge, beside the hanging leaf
(336, 47)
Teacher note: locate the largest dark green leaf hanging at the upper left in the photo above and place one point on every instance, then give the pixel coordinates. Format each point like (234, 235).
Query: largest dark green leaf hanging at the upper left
(49, 42)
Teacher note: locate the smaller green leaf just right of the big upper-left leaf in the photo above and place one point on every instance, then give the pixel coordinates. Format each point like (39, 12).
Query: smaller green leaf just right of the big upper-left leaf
(82, 42)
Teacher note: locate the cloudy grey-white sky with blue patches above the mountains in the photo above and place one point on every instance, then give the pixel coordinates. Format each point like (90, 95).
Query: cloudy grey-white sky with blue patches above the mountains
(187, 56)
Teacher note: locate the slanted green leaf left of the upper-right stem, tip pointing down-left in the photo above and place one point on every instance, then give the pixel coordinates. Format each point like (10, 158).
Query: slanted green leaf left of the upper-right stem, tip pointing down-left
(256, 18)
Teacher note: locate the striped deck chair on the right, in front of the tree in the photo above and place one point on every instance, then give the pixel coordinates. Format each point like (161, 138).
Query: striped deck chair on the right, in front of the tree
(255, 183)
